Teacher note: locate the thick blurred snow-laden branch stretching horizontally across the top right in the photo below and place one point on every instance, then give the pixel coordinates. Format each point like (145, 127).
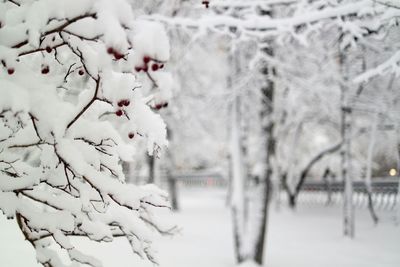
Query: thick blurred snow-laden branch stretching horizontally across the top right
(251, 22)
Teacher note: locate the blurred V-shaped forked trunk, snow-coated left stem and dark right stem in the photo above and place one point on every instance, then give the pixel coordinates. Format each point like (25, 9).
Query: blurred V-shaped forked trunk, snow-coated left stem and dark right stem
(238, 194)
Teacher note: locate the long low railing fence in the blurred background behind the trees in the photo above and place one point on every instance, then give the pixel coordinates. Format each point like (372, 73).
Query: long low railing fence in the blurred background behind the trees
(384, 190)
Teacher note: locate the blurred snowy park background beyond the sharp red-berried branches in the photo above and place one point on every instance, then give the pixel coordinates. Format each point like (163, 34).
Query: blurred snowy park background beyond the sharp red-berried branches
(284, 138)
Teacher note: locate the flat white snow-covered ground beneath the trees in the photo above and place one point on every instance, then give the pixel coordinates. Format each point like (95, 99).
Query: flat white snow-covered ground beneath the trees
(309, 237)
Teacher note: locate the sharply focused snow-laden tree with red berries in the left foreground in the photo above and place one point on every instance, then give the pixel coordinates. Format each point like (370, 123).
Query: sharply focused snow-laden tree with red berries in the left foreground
(72, 106)
